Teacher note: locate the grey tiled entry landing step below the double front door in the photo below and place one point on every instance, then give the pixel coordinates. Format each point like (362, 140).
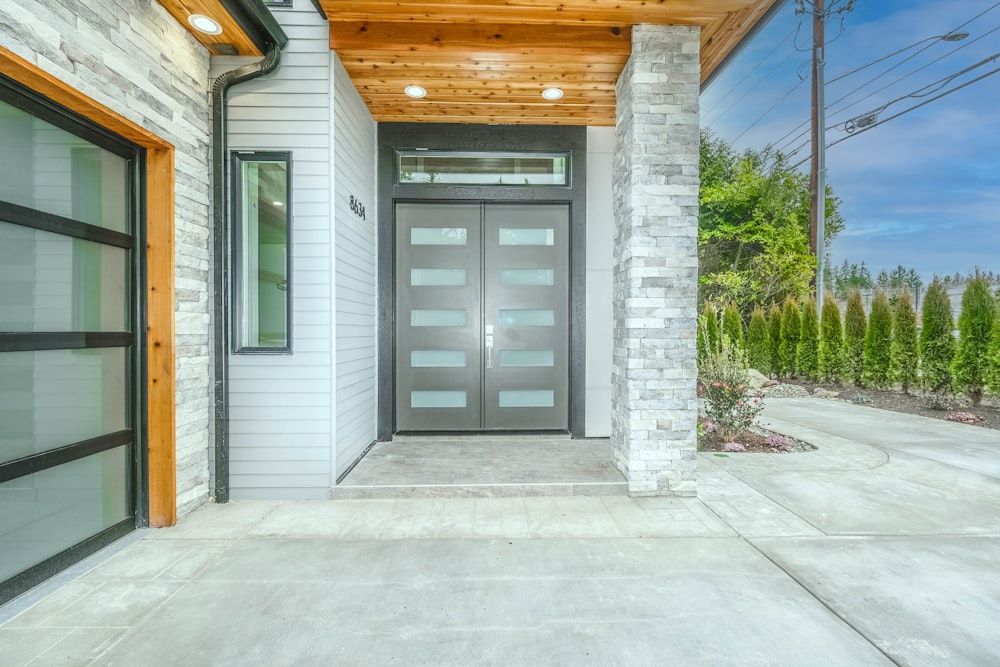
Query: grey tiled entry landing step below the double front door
(483, 466)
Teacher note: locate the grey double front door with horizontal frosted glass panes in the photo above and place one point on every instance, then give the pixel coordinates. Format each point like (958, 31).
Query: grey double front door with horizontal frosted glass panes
(482, 310)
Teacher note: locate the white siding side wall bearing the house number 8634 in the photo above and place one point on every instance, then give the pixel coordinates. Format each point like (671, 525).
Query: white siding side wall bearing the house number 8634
(355, 270)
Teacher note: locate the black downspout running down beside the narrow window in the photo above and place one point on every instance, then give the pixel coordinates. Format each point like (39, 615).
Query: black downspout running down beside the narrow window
(220, 244)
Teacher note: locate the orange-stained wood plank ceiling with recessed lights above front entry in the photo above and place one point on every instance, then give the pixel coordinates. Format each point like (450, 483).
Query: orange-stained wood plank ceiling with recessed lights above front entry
(488, 61)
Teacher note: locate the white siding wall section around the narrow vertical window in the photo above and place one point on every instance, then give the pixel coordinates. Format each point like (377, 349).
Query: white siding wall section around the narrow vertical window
(281, 405)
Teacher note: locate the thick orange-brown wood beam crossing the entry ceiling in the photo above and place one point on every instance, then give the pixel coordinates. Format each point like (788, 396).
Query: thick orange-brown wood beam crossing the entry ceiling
(451, 38)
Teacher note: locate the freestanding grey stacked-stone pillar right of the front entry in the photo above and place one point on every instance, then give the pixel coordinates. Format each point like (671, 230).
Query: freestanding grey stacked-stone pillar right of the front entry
(653, 395)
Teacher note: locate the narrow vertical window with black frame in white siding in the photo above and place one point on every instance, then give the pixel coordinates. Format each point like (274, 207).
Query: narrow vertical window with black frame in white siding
(261, 252)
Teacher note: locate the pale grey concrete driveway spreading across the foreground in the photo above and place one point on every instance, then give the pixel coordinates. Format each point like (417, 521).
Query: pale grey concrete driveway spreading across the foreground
(881, 547)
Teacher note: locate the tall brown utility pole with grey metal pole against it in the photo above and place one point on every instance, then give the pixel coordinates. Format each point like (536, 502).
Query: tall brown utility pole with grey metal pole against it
(817, 171)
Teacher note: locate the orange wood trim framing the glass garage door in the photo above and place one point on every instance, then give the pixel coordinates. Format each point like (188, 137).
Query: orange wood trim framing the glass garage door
(161, 353)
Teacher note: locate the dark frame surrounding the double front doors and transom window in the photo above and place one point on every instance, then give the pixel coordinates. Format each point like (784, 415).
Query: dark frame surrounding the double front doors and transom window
(484, 138)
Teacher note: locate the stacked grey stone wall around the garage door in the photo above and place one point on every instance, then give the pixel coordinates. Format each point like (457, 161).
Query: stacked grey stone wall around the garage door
(136, 59)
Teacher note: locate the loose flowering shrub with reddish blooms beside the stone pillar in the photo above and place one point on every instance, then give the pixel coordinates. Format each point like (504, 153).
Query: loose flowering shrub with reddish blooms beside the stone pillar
(724, 383)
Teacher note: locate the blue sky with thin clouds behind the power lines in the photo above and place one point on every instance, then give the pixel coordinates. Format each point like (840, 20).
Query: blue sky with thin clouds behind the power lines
(922, 190)
